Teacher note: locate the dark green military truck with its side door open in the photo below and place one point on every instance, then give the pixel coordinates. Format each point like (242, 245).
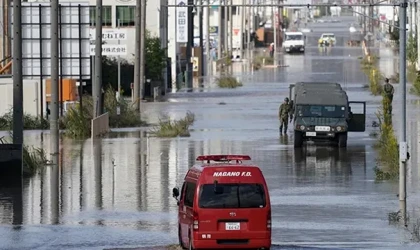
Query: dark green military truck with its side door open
(322, 112)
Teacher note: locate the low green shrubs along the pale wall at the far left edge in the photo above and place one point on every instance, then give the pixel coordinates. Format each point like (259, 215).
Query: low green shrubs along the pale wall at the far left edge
(29, 122)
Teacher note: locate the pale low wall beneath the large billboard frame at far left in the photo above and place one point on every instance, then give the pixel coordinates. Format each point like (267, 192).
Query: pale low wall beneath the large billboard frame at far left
(31, 96)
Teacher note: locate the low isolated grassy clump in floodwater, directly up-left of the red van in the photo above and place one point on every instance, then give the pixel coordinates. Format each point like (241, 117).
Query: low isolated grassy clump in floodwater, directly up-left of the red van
(168, 128)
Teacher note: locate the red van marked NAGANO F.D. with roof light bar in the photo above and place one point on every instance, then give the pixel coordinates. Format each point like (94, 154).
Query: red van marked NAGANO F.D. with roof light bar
(224, 204)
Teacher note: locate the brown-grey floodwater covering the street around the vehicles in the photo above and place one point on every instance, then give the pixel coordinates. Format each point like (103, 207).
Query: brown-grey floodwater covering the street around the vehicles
(116, 192)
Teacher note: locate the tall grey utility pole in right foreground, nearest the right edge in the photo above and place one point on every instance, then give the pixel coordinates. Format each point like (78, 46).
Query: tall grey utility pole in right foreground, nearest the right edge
(403, 148)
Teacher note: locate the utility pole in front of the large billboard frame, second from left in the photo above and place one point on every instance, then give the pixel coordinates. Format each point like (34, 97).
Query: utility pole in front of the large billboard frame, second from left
(54, 139)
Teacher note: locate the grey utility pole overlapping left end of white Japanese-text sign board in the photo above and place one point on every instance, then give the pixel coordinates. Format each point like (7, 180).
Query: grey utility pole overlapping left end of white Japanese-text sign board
(97, 93)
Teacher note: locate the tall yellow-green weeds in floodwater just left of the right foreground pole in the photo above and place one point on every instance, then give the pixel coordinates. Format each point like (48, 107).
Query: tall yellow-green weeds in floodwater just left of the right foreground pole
(387, 144)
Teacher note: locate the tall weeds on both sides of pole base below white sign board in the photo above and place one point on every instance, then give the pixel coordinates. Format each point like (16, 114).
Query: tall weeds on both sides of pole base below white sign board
(77, 121)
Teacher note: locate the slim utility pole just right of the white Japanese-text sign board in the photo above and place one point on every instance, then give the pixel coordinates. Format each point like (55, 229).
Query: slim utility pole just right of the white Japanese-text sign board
(142, 50)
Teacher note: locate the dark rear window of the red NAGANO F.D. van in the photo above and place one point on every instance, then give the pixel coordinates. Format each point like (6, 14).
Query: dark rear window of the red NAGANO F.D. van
(232, 196)
